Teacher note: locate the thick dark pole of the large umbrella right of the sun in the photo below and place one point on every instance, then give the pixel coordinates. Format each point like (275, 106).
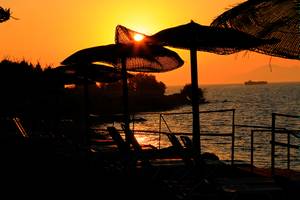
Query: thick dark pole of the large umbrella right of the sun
(195, 101)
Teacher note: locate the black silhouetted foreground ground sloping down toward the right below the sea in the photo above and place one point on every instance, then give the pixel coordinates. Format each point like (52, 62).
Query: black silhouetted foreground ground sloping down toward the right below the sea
(58, 167)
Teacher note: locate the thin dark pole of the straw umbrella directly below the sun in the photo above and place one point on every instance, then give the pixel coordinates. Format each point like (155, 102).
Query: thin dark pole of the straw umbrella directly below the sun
(125, 98)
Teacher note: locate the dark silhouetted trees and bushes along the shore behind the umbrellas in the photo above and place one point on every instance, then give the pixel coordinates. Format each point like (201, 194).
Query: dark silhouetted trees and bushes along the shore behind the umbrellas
(28, 89)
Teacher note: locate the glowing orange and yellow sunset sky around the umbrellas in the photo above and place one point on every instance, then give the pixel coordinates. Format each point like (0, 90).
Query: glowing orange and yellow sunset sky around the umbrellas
(49, 31)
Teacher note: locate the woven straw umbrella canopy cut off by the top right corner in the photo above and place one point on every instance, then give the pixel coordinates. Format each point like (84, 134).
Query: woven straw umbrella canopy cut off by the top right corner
(267, 19)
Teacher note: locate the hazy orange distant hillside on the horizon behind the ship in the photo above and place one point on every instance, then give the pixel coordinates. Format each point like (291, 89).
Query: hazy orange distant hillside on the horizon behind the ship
(273, 73)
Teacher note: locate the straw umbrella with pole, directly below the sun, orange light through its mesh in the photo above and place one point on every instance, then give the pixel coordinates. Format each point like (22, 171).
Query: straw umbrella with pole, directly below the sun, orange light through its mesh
(129, 57)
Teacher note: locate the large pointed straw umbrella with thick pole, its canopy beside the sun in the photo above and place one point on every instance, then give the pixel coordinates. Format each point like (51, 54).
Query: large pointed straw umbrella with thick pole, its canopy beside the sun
(195, 37)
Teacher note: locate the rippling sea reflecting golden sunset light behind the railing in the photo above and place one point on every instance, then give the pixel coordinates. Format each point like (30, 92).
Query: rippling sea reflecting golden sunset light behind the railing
(253, 107)
